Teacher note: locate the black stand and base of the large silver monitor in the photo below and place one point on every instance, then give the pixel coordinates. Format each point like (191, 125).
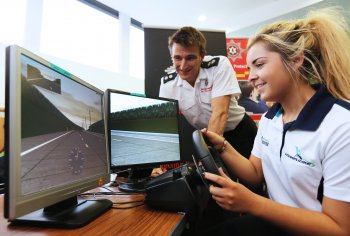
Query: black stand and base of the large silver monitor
(69, 213)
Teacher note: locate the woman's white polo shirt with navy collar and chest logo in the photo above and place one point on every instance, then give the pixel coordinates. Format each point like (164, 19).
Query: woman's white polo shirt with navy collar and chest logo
(296, 156)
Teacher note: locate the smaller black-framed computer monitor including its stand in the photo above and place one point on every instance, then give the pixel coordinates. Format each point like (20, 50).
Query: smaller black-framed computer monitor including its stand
(143, 132)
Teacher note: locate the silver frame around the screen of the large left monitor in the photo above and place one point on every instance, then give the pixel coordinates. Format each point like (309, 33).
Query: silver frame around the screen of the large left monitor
(15, 204)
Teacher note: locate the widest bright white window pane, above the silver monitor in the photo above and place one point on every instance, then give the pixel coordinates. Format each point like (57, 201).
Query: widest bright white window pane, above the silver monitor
(75, 31)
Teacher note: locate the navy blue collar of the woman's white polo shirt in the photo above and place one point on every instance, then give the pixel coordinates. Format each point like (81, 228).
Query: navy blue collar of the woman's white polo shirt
(312, 114)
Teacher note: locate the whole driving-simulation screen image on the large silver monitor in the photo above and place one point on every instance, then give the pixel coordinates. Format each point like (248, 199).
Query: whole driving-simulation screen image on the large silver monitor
(63, 137)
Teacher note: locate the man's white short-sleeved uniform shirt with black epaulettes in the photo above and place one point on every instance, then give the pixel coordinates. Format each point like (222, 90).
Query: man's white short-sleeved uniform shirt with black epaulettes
(215, 80)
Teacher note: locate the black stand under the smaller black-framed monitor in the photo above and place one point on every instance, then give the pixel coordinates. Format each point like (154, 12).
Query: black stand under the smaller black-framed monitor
(136, 181)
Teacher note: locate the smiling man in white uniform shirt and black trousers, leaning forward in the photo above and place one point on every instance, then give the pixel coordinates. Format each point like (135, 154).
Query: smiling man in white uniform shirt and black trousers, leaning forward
(205, 87)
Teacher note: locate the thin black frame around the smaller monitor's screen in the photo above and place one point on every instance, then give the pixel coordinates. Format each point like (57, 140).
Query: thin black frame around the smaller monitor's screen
(117, 168)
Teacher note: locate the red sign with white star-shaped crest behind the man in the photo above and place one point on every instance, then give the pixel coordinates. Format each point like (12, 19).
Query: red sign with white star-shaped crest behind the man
(236, 53)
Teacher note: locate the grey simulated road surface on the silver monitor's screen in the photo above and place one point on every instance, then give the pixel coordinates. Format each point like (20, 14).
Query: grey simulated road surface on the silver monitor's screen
(54, 159)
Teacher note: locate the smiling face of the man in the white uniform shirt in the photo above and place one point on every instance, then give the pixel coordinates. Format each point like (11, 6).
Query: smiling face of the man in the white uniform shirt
(187, 62)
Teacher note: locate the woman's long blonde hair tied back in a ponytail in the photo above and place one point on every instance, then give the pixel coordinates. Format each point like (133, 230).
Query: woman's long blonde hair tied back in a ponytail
(323, 40)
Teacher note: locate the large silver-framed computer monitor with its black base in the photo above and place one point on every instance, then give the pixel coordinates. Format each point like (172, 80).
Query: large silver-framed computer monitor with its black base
(55, 146)
